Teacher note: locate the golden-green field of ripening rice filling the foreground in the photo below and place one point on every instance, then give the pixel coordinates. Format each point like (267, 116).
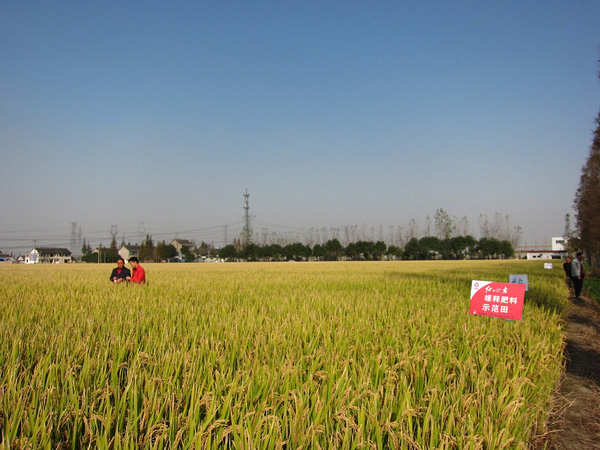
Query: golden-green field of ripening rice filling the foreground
(275, 355)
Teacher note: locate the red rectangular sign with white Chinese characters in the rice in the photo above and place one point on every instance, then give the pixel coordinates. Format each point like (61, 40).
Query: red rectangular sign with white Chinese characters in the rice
(504, 300)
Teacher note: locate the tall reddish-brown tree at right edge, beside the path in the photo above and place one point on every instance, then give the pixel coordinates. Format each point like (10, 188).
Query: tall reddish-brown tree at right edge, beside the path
(587, 202)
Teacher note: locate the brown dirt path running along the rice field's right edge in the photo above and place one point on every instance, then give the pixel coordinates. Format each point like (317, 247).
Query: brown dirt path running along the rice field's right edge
(575, 424)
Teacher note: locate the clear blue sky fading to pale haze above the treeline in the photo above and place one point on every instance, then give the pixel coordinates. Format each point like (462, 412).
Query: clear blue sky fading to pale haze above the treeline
(157, 117)
